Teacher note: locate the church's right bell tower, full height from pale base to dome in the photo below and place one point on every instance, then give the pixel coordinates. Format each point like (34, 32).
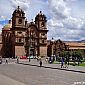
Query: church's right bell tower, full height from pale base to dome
(40, 21)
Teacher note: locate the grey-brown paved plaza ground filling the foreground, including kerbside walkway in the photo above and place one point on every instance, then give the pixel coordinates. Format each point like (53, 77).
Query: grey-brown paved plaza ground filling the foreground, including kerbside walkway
(29, 73)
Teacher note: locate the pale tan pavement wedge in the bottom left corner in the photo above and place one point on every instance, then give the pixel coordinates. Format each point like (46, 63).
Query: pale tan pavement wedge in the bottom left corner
(4, 80)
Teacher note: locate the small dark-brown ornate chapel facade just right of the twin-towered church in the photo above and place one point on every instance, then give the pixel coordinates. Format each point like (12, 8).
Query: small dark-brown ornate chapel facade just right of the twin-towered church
(56, 47)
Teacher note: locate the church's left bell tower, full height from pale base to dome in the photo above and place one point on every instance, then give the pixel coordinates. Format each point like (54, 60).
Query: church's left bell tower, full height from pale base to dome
(19, 24)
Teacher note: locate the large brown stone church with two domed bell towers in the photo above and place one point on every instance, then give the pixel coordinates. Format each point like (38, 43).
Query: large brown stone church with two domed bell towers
(21, 37)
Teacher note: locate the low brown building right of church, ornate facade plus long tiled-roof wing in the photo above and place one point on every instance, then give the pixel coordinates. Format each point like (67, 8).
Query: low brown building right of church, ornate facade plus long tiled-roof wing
(56, 47)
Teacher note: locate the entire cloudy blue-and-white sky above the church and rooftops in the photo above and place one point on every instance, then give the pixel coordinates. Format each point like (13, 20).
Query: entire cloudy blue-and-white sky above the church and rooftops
(66, 18)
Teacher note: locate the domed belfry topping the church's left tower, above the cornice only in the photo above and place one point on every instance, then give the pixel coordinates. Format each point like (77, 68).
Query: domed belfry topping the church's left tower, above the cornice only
(18, 18)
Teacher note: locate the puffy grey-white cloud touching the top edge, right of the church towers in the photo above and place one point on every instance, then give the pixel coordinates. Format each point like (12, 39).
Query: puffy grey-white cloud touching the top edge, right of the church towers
(58, 9)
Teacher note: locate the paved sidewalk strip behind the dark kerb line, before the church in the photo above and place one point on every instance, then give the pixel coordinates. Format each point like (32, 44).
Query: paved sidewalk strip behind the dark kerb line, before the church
(34, 62)
